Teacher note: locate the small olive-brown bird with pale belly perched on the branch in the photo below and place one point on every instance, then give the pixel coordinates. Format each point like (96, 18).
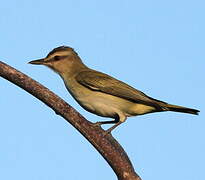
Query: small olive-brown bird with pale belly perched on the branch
(100, 93)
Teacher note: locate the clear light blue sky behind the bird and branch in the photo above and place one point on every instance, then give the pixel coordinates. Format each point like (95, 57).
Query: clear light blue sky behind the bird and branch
(156, 46)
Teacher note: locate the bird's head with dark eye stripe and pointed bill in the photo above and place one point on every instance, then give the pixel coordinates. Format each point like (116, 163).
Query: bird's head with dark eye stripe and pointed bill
(60, 59)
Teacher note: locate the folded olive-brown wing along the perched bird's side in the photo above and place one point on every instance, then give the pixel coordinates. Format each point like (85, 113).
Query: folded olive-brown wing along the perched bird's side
(98, 81)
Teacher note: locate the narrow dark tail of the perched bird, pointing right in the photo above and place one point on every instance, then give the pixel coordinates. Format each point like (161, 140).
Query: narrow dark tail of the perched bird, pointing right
(170, 107)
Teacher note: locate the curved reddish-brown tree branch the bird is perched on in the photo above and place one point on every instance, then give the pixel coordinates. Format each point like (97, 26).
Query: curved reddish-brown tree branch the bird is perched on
(106, 145)
